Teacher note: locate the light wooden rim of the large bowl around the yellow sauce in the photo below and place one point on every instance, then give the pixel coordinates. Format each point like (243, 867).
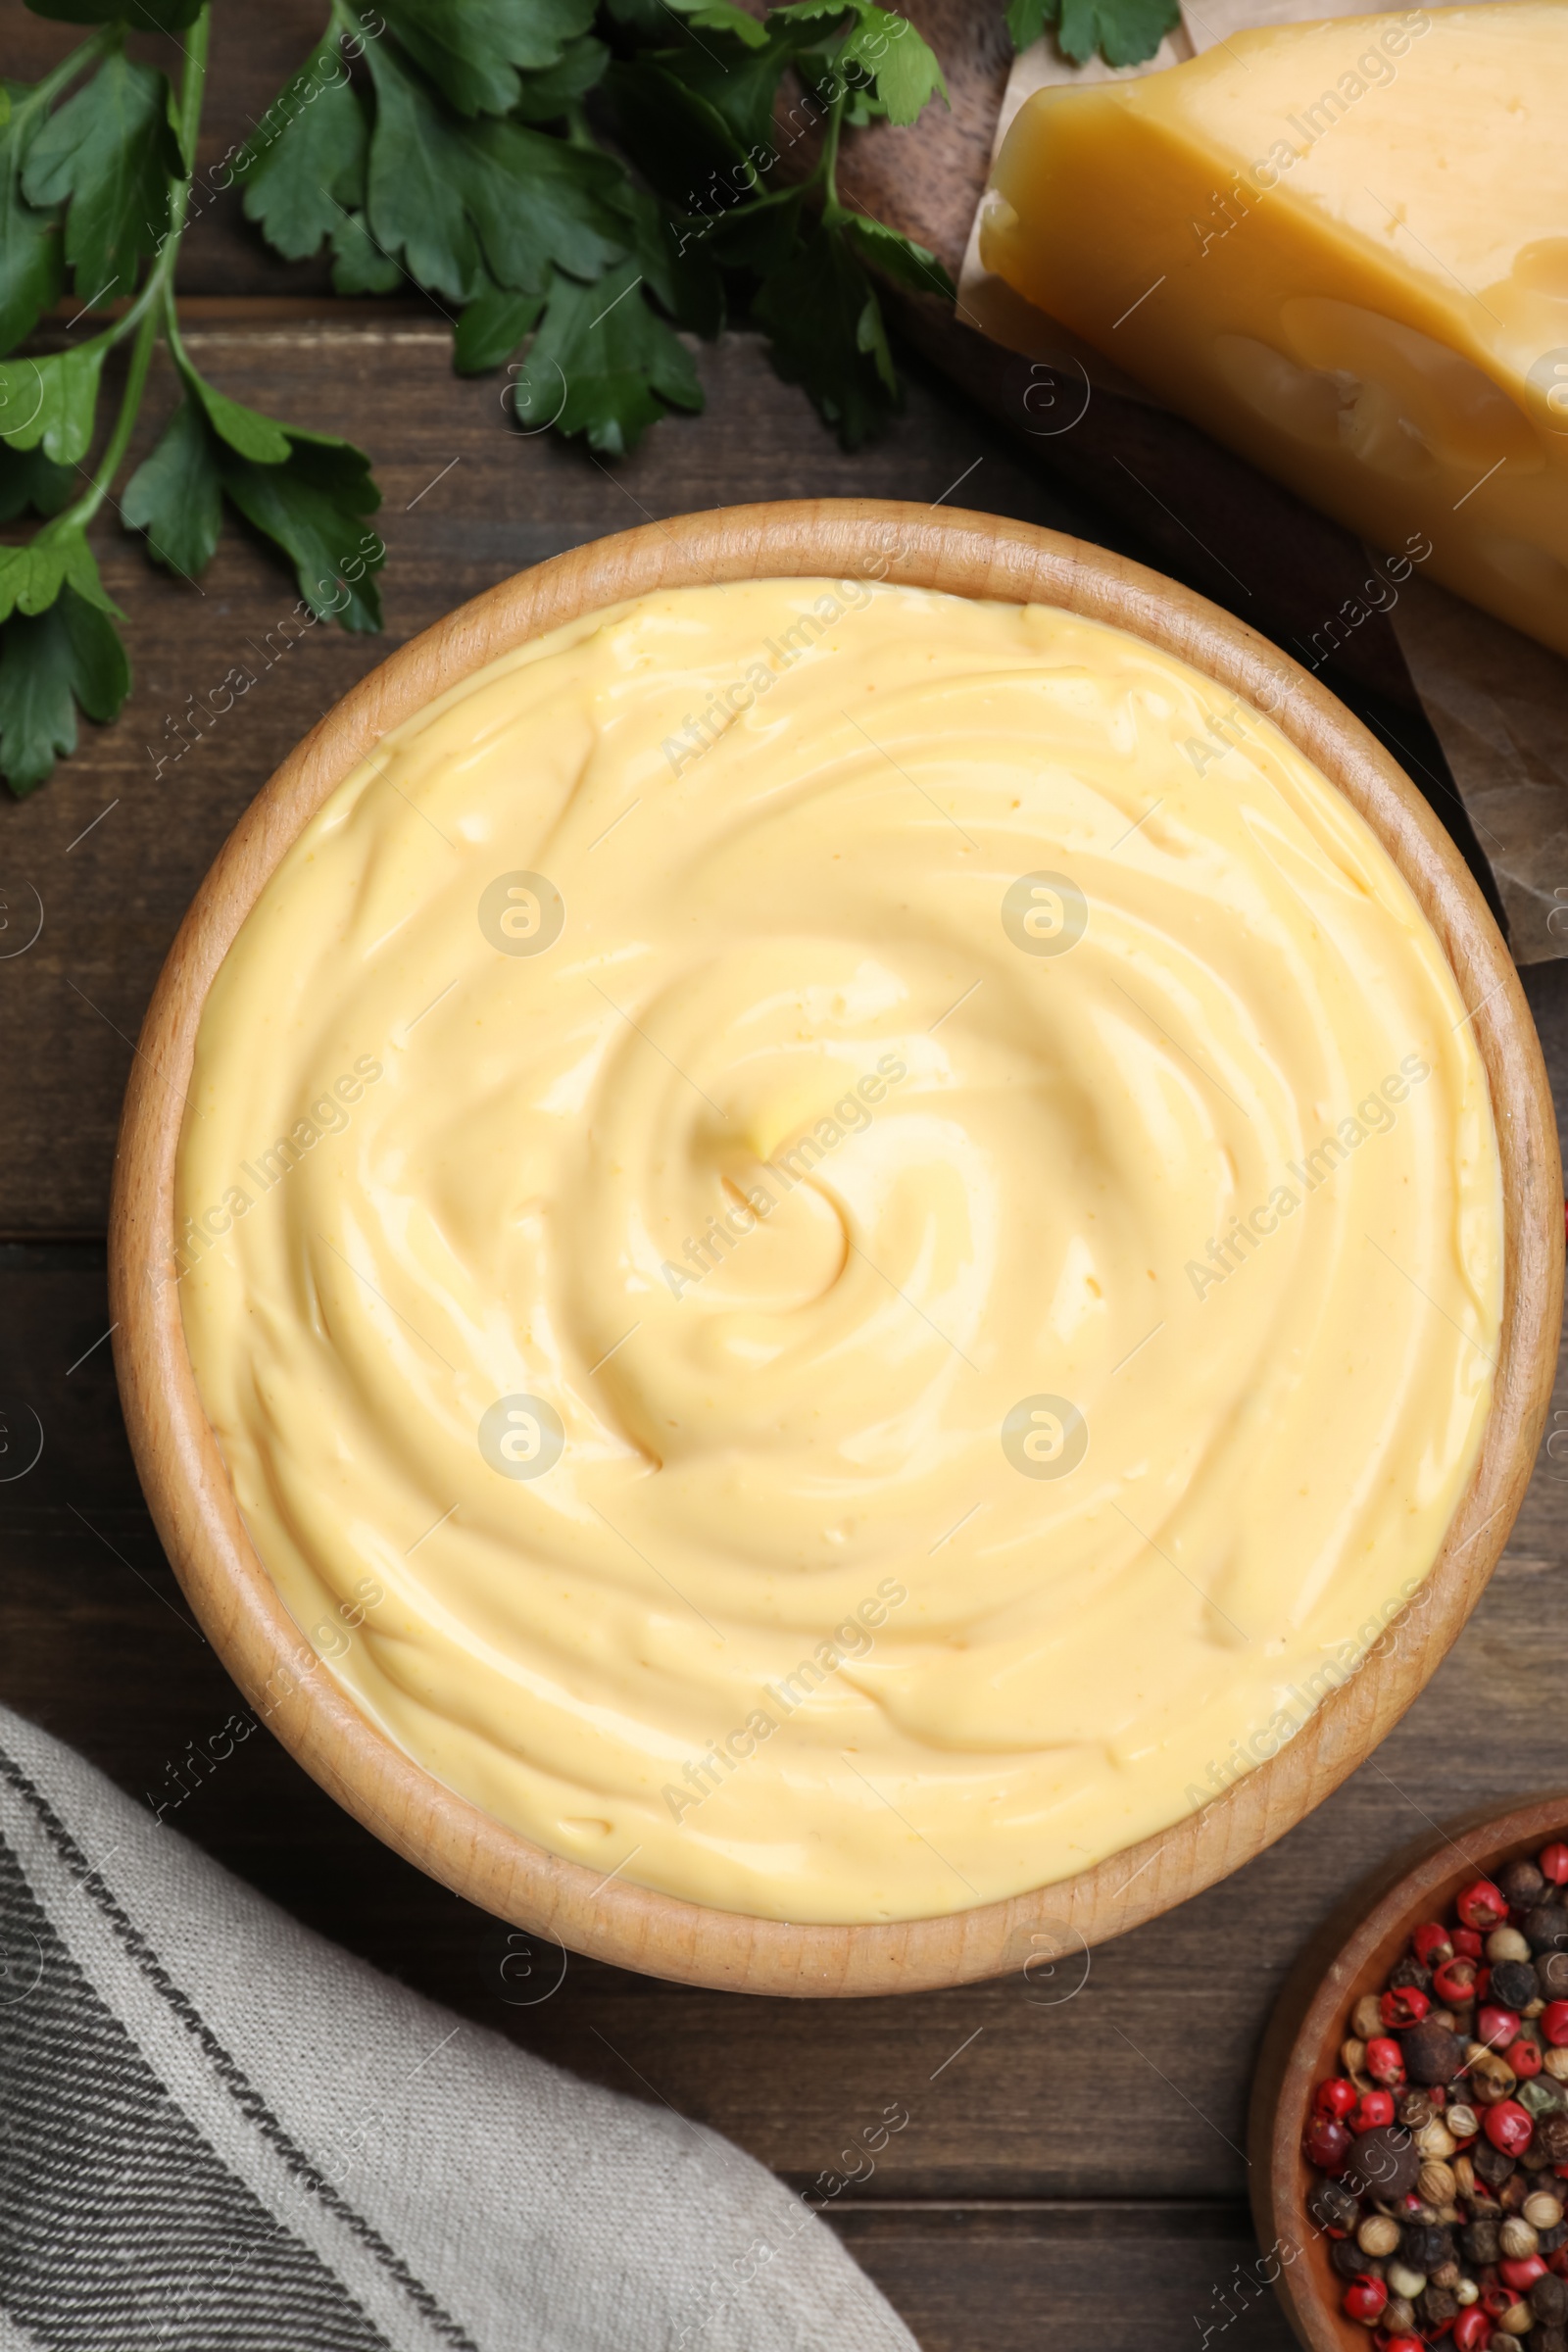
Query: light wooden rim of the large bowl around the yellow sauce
(187, 1483)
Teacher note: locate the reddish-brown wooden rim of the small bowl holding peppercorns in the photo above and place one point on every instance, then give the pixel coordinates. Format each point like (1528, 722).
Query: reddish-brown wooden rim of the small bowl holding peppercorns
(1351, 1956)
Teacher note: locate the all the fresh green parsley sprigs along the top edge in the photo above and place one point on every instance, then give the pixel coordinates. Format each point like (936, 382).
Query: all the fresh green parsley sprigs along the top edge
(577, 182)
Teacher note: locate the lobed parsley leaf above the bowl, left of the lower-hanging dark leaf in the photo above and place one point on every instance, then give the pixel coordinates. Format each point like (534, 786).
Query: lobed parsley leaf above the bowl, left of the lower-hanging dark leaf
(617, 363)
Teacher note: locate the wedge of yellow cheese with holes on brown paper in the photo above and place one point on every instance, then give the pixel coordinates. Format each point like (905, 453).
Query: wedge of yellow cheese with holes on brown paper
(1343, 250)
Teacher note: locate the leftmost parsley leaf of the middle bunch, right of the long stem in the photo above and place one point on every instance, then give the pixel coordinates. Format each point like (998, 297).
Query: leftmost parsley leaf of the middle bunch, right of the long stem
(307, 161)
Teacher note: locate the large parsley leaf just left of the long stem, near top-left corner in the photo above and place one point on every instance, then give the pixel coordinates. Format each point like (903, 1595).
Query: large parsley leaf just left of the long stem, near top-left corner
(109, 154)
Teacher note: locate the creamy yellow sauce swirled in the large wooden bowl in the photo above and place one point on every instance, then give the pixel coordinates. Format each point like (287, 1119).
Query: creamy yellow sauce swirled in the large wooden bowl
(845, 1245)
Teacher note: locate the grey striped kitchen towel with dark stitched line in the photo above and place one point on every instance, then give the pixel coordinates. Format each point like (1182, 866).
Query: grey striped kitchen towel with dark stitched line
(220, 2134)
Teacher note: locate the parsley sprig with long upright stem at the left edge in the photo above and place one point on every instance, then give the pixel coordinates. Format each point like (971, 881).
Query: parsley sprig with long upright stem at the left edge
(95, 189)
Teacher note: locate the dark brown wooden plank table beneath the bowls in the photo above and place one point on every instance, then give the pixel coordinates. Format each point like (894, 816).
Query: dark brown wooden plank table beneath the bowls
(1076, 2170)
